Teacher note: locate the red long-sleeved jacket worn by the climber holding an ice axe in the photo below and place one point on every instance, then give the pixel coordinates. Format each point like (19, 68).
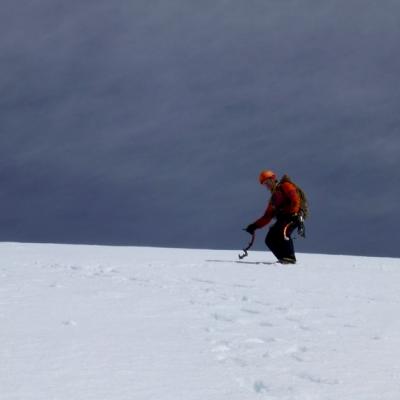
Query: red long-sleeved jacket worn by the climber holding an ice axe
(285, 200)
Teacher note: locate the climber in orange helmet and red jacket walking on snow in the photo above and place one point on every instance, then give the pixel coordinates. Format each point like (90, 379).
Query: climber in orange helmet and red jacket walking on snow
(284, 205)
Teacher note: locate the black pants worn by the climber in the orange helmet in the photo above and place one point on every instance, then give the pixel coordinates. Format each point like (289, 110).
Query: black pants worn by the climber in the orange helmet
(279, 239)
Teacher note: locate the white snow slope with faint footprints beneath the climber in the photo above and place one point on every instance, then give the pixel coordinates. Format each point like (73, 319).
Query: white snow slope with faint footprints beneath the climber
(116, 323)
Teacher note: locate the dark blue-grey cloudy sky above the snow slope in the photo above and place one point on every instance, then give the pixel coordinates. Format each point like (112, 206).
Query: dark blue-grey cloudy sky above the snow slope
(147, 122)
